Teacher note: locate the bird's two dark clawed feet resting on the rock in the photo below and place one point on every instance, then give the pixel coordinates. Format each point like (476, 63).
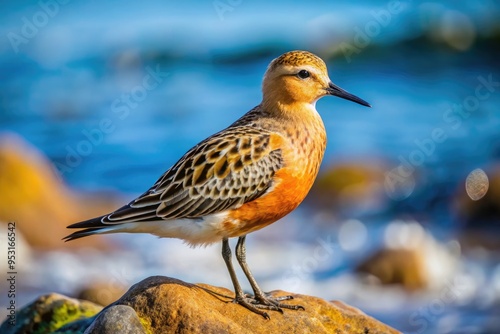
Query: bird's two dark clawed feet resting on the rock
(259, 303)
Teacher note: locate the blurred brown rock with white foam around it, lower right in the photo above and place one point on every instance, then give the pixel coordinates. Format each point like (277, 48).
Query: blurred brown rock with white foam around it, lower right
(412, 258)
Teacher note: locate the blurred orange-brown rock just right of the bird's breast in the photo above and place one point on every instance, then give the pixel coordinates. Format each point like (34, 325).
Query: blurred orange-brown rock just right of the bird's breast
(349, 189)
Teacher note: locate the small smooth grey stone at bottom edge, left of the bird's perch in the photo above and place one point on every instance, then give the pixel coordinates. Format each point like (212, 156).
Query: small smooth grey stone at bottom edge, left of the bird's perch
(117, 319)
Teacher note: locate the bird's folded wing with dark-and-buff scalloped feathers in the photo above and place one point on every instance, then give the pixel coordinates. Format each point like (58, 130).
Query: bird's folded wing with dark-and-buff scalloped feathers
(230, 168)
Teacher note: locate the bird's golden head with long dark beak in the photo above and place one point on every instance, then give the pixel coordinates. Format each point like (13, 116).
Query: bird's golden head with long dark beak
(300, 77)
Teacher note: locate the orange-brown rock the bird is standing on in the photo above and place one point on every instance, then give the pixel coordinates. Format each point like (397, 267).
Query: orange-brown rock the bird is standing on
(167, 305)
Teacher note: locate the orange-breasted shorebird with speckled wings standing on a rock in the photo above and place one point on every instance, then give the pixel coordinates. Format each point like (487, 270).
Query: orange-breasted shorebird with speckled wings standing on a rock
(241, 179)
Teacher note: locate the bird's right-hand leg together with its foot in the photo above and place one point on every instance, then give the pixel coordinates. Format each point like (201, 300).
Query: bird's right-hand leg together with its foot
(261, 299)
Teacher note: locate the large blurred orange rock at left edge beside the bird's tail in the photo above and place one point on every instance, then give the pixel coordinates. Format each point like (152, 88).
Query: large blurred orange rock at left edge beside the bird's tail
(35, 198)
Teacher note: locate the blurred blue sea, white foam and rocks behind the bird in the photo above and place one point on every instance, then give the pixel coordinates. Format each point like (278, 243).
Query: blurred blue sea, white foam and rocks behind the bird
(99, 98)
